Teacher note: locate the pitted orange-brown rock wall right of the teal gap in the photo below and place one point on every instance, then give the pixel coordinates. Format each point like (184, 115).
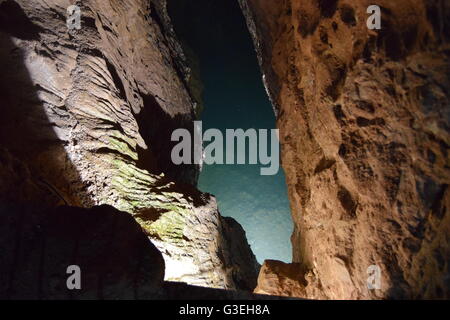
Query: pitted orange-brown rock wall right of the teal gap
(364, 127)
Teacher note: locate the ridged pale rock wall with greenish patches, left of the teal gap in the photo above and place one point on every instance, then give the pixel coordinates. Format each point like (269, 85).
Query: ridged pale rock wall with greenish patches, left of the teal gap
(87, 117)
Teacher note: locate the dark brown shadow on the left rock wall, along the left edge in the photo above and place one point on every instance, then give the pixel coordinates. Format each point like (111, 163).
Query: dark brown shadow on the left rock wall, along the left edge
(32, 152)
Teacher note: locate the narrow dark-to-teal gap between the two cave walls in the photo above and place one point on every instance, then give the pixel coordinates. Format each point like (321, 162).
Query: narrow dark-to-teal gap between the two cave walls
(217, 42)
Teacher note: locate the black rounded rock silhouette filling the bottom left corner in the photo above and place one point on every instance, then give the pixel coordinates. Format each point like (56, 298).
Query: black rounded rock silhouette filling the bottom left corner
(116, 259)
